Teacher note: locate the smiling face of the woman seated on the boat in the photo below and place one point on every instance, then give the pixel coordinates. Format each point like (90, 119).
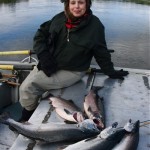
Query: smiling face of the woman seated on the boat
(77, 7)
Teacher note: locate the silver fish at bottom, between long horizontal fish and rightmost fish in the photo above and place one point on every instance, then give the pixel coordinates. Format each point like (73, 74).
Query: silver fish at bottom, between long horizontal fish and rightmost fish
(106, 140)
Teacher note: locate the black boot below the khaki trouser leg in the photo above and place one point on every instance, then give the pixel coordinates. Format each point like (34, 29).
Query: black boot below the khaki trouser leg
(26, 114)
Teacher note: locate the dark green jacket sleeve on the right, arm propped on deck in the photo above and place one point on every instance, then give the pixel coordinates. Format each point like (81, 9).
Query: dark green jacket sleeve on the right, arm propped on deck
(101, 53)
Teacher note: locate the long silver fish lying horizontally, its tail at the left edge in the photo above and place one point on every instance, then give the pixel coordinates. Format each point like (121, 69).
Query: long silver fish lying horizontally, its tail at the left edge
(52, 132)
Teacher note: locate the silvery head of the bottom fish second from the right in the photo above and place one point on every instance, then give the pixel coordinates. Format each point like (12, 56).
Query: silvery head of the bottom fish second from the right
(108, 131)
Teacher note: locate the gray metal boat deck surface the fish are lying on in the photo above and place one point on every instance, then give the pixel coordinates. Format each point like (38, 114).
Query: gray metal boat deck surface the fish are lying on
(122, 100)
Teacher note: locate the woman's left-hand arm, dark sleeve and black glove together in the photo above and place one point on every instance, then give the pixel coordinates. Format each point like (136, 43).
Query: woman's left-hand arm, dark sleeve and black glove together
(43, 46)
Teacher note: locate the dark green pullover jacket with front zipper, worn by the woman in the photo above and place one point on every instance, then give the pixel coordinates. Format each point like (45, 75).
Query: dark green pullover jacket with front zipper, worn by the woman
(75, 48)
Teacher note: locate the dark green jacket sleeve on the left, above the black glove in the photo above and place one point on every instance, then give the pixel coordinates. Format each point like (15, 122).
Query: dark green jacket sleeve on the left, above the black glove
(40, 41)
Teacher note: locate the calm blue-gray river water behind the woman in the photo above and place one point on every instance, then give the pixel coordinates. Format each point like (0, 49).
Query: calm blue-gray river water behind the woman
(127, 27)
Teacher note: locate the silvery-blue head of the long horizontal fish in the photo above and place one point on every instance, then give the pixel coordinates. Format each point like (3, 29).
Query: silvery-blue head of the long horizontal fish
(88, 126)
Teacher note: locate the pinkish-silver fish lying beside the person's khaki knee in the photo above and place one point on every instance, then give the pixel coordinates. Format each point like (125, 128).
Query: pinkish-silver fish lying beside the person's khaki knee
(67, 110)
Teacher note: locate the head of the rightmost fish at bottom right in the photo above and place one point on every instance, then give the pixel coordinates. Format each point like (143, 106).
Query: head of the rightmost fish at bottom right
(132, 127)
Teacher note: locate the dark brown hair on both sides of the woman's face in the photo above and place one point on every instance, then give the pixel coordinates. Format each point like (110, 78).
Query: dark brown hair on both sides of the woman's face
(68, 14)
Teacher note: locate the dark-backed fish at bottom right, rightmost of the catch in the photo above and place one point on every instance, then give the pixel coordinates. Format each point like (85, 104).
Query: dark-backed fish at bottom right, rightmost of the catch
(130, 140)
